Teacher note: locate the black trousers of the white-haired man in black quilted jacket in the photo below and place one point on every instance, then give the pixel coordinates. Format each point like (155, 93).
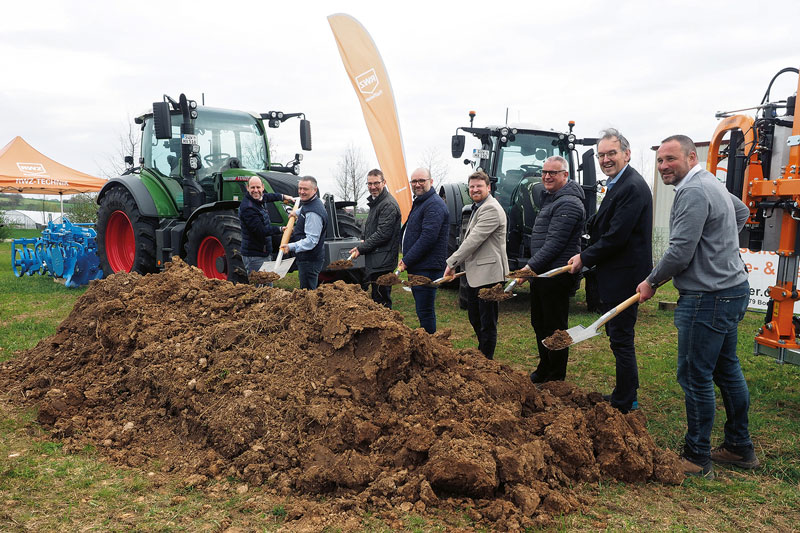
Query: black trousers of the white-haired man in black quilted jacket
(549, 312)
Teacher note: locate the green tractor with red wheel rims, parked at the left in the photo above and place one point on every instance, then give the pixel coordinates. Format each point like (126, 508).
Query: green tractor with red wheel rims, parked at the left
(183, 198)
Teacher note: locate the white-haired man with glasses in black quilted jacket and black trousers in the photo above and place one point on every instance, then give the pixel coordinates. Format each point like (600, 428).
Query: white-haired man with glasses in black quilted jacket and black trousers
(556, 237)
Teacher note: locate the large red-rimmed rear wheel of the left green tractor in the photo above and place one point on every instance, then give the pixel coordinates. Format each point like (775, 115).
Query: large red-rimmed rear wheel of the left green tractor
(126, 240)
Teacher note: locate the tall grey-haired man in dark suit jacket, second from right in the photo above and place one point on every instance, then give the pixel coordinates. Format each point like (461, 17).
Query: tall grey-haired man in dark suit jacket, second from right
(620, 250)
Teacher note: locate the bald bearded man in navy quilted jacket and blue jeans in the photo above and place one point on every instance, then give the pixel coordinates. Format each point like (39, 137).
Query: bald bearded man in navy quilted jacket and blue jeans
(425, 244)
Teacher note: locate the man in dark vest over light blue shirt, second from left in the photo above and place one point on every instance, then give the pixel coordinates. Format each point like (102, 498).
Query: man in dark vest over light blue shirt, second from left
(308, 239)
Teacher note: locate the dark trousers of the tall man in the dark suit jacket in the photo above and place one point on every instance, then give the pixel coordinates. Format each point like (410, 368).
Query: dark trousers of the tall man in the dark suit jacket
(620, 331)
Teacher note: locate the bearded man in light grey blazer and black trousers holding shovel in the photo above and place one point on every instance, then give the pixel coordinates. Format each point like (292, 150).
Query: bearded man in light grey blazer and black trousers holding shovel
(483, 256)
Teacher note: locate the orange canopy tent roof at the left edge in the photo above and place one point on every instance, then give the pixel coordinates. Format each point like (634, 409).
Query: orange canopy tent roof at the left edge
(23, 169)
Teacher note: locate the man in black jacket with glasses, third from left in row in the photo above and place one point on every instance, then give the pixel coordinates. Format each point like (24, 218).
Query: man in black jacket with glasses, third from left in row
(381, 243)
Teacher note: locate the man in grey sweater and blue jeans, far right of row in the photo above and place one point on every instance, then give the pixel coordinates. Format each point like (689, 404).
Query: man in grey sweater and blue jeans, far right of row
(704, 262)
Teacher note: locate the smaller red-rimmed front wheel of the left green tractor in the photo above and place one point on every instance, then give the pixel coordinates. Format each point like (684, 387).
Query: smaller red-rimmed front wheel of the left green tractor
(214, 245)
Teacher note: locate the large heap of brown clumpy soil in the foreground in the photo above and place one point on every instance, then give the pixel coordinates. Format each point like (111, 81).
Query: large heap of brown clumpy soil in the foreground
(319, 393)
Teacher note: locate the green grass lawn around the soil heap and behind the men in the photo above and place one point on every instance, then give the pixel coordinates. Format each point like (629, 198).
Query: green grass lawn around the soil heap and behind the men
(44, 489)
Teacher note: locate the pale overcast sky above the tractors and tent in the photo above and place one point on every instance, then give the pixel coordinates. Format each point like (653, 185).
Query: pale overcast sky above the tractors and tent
(74, 73)
